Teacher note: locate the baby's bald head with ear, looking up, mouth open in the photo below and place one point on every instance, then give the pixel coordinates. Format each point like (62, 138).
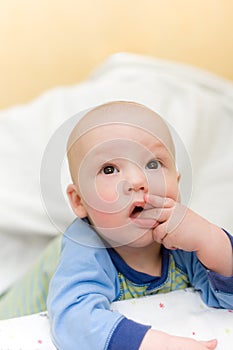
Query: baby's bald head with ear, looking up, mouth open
(119, 153)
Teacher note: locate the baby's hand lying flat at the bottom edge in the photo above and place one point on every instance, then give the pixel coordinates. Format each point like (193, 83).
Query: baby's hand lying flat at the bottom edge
(154, 340)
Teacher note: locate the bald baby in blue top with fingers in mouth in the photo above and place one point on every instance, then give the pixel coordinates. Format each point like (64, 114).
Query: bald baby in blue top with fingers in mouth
(132, 236)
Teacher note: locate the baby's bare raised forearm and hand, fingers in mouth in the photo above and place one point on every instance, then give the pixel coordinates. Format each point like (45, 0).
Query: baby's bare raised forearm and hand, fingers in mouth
(181, 228)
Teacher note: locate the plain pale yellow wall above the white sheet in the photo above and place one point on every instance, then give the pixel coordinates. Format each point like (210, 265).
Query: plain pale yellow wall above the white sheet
(45, 43)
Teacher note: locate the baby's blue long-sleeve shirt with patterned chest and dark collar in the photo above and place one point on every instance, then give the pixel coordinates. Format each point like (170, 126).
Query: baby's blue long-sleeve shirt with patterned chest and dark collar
(89, 277)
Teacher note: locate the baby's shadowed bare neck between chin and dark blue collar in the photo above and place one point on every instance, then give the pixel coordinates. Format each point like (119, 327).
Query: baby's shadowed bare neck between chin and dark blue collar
(144, 259)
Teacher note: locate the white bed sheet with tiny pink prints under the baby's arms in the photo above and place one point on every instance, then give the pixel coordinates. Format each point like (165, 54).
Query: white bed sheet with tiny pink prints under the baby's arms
(180, 313)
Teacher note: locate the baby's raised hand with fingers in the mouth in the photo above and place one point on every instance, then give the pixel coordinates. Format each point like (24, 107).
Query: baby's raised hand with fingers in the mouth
(180, 227)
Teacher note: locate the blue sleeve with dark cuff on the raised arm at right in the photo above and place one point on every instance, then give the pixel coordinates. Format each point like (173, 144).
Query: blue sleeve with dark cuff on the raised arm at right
(216, 290)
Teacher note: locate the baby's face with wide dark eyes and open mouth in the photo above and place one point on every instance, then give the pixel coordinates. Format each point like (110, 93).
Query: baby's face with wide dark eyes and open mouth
(117, 166)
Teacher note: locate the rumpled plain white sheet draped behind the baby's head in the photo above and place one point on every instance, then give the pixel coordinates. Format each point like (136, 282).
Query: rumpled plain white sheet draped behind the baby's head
(199, 106)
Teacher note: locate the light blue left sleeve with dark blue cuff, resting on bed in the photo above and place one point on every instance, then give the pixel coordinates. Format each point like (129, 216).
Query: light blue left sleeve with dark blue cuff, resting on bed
(80, 293)
